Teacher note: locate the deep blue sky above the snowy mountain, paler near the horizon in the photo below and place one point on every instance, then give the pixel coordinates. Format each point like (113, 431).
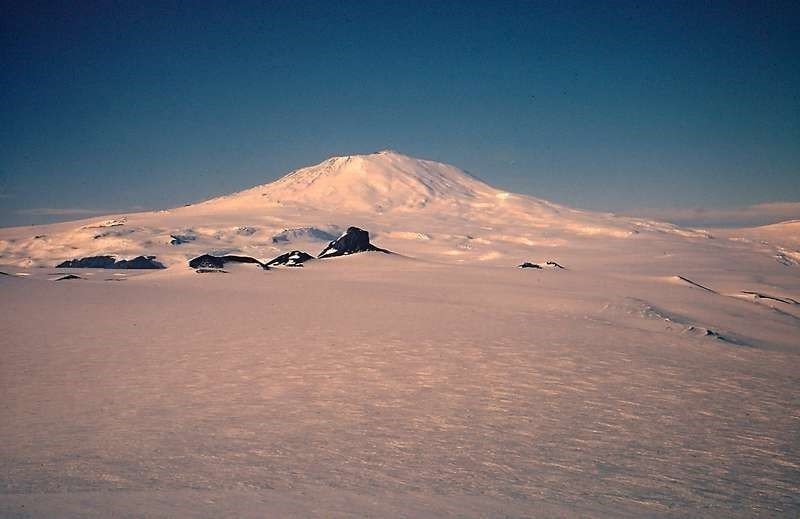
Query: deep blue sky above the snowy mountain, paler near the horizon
(685, 110)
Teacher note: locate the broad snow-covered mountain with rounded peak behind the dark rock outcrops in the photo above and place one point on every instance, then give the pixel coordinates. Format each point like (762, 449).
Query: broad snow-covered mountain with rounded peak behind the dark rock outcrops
(417, 207)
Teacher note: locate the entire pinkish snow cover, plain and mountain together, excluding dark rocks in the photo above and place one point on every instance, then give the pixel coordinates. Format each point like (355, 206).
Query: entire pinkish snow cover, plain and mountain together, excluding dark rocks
(655, 376)
